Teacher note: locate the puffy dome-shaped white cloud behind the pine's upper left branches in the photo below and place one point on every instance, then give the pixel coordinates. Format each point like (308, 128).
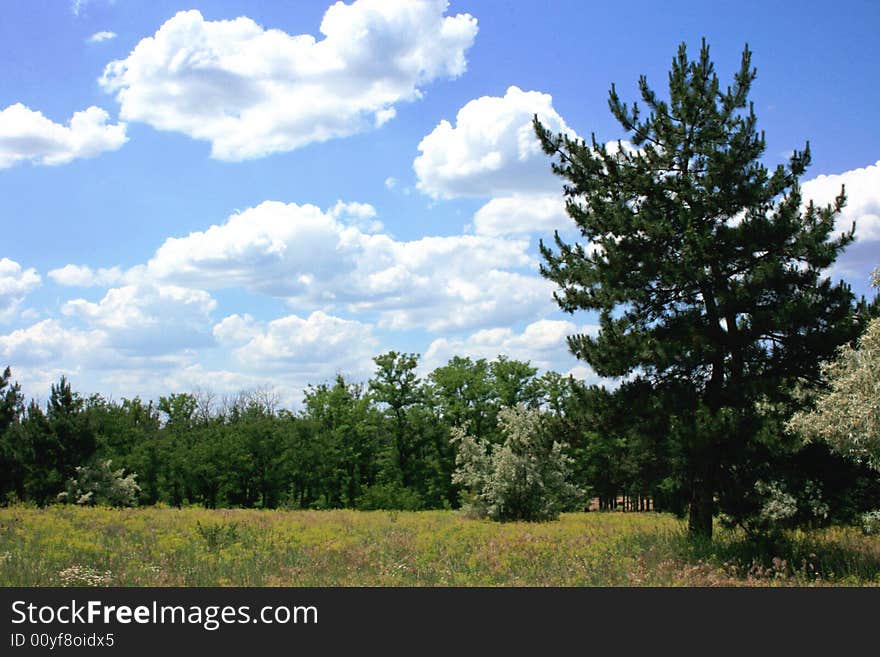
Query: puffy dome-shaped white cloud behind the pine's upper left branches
(491, 150)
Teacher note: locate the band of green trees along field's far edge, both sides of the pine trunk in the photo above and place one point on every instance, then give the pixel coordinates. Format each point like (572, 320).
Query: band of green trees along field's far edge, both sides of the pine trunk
(391, 442)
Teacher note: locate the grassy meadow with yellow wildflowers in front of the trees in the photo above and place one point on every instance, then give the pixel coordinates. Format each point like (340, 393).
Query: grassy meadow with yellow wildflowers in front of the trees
(74, 546)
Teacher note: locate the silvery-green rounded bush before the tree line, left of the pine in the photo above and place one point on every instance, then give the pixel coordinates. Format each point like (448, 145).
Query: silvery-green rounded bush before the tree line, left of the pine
(526, 477)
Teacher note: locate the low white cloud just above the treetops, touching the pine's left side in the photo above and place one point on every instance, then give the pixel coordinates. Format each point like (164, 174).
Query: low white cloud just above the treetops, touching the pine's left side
(542, 343)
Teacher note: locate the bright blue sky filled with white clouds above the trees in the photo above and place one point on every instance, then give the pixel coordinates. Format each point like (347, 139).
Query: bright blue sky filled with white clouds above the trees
(229, 195)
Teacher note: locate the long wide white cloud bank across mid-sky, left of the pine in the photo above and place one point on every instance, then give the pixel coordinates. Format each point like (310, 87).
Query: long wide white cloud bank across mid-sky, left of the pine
(321, 258)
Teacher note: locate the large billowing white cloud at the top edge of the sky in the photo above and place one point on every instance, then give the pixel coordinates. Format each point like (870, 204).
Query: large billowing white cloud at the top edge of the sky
(252, 91)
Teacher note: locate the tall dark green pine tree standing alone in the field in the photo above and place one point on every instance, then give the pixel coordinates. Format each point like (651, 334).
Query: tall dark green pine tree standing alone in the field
(705, 267)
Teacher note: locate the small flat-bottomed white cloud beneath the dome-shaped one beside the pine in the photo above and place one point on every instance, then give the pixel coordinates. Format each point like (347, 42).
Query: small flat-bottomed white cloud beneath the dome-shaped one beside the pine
(522, 214)
